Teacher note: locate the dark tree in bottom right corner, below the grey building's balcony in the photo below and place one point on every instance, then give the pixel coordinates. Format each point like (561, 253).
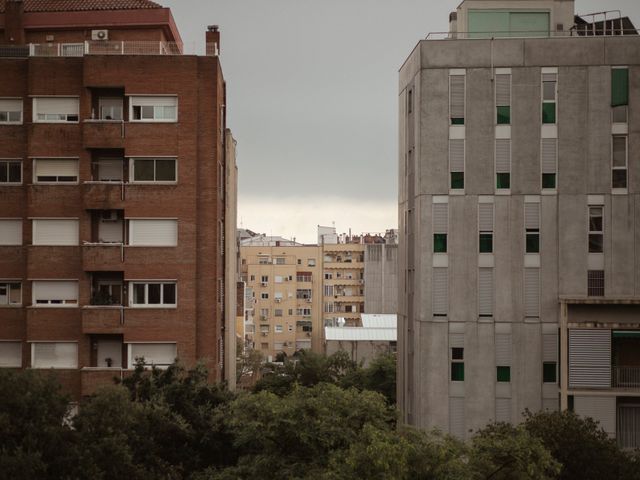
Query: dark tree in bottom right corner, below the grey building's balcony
(582, 447)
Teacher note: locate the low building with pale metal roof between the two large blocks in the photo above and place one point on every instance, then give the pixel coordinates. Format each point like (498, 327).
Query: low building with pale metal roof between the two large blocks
(375, 336)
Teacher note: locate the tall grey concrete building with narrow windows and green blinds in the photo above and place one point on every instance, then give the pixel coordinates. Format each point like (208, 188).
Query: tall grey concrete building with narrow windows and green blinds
(519, 216)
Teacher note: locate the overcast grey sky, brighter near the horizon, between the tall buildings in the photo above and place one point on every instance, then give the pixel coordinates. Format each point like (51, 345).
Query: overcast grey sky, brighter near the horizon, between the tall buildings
(312, 102)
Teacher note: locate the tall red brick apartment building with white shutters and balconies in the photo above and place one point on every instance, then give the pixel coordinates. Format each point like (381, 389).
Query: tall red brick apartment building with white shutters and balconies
(114, 192)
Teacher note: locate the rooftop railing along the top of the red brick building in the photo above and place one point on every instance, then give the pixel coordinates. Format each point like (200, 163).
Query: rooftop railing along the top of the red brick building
(102, 47)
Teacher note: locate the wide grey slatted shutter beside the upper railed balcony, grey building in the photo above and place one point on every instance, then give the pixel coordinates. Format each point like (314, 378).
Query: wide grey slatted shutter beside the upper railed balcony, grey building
(589, 358)
